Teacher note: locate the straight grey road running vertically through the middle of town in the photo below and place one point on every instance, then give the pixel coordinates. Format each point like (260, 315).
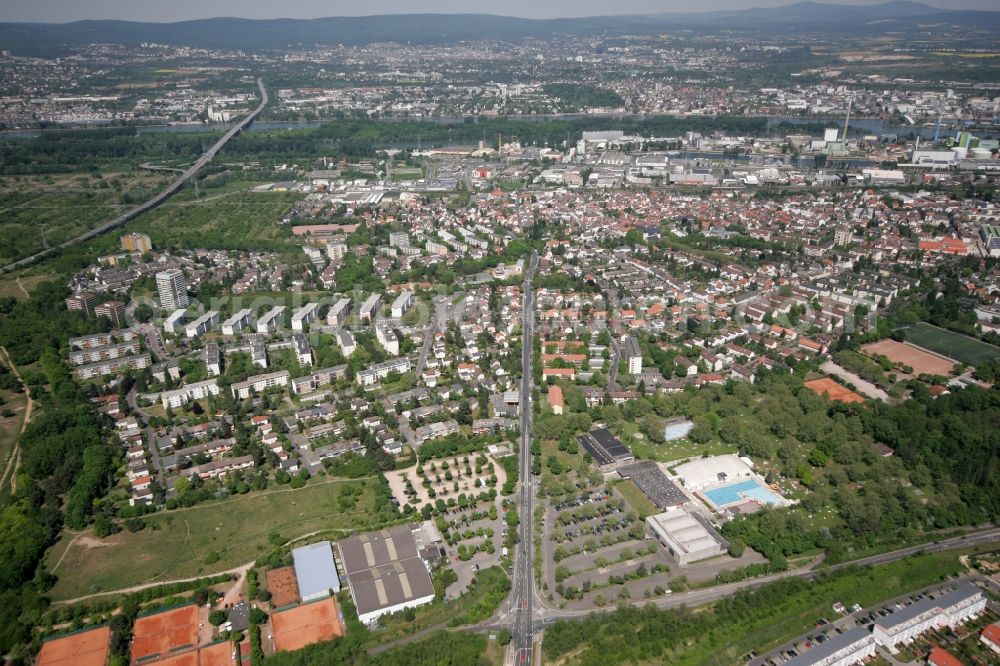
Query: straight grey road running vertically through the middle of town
(523, 589)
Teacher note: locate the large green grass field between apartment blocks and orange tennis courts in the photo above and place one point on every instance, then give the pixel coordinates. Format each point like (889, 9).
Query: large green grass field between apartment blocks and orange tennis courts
(176, 544)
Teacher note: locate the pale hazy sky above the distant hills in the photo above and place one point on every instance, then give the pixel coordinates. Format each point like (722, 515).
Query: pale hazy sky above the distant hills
(178, 10)
